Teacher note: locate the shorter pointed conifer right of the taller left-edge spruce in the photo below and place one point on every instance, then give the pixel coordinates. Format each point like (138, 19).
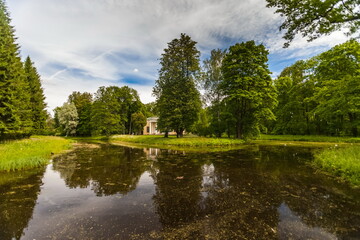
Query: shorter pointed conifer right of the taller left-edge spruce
(37, 98)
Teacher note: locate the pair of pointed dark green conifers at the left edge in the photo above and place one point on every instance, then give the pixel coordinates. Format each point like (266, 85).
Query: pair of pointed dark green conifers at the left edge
(22, 106)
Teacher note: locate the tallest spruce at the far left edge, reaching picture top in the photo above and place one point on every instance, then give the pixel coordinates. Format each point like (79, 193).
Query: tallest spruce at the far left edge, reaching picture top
(15, 112)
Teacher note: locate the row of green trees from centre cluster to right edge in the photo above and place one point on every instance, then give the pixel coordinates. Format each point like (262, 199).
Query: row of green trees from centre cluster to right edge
(317, 96)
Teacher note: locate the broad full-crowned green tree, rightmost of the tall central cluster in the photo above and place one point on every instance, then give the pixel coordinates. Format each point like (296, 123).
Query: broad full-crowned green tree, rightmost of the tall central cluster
(247, 86)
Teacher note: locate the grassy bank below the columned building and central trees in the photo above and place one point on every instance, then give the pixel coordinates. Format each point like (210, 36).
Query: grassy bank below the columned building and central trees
(191, 141)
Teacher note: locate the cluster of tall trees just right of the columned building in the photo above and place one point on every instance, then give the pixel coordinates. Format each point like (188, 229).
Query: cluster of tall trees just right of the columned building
(238, 88)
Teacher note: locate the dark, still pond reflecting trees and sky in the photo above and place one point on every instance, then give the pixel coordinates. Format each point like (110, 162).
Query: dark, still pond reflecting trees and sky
(103, 191)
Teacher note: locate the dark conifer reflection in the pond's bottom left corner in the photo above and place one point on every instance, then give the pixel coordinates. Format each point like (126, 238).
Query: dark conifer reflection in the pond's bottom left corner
(17, 202)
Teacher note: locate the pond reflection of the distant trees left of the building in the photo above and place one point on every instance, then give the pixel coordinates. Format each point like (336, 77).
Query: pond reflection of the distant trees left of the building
(107, 169)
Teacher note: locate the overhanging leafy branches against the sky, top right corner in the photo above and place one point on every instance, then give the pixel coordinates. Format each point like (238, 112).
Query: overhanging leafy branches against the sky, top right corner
(314, 18)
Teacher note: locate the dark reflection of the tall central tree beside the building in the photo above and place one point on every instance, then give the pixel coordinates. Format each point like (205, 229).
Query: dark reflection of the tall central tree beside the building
(178, 183)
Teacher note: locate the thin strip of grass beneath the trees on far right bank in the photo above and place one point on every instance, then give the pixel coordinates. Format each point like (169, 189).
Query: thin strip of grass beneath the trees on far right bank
(310, 138)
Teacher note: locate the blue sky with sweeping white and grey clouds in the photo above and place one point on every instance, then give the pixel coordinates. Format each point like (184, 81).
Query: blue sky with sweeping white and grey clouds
(80, 45)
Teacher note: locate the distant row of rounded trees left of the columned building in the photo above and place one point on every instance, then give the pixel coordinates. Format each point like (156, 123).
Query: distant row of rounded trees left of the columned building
(112, 110)
